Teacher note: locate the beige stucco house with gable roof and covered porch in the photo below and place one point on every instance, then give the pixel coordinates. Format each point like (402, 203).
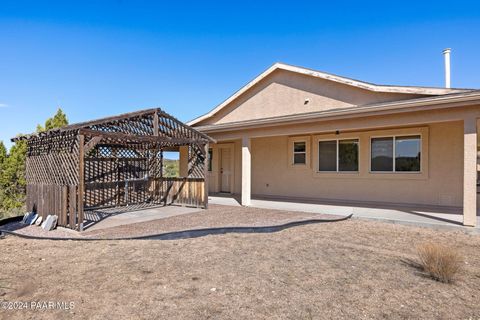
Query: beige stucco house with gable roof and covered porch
(295, 133)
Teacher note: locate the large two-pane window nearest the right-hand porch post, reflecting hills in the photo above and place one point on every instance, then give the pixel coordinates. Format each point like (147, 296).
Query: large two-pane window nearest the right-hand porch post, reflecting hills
(396, 154)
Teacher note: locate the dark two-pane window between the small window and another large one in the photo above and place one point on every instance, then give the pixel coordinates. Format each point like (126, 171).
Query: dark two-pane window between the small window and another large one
(338, 155)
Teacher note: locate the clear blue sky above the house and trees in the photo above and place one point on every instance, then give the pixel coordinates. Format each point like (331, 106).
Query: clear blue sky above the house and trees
(100, 58)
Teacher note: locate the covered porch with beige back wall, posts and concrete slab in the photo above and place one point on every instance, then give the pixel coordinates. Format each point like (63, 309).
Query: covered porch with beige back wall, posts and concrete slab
(444, 191)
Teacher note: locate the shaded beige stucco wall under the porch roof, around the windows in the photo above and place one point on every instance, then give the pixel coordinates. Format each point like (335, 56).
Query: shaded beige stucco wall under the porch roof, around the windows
(440, 182)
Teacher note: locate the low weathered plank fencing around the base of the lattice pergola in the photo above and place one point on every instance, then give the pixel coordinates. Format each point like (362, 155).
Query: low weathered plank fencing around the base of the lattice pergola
(61, 200)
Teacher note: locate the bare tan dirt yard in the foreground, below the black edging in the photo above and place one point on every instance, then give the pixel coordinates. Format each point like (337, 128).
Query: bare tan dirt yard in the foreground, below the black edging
(346, 270)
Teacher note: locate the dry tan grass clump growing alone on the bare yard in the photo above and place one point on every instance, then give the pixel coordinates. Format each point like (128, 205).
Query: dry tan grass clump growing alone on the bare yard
(440, 262)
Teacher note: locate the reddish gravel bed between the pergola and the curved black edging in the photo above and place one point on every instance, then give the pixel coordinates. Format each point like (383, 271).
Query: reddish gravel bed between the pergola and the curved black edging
(215, 216)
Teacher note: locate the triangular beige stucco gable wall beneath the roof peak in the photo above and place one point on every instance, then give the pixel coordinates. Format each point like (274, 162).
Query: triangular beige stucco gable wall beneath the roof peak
(284, 93)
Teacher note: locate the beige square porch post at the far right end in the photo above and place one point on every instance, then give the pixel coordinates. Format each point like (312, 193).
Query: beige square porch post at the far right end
(470, 171)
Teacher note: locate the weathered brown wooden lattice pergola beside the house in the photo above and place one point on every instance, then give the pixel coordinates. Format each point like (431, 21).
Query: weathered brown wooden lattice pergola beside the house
(113, 162)
